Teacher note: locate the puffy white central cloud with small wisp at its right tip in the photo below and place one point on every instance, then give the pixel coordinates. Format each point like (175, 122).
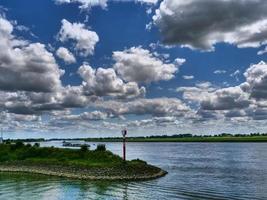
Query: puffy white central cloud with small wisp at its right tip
(141, 66)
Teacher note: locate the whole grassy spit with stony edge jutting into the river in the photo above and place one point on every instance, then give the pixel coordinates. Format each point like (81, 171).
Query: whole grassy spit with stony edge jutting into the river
(73, 163)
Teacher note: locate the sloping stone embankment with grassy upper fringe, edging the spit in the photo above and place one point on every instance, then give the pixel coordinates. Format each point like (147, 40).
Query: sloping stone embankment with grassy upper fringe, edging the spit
(122, 172)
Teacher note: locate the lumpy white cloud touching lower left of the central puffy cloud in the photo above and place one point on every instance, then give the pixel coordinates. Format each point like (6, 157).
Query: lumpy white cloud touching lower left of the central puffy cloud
(105, 82)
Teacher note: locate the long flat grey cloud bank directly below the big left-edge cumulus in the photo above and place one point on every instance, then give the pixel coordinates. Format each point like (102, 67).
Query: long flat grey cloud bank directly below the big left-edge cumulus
(38, 103)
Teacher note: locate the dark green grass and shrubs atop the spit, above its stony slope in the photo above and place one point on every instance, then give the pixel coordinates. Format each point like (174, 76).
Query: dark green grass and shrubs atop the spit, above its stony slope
(57, 156)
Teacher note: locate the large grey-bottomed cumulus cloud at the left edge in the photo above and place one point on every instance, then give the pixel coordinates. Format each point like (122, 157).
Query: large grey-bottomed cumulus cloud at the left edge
(26, 66)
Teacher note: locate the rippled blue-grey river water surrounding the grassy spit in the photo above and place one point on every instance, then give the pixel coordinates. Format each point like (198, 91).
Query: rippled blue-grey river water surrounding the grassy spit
(196, 171)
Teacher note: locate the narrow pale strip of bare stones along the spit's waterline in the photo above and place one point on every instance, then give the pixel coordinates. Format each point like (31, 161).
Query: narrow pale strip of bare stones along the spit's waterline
(81, 175)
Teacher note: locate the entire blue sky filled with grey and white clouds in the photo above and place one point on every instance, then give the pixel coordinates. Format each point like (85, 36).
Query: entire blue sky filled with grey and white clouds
(90, 68)
